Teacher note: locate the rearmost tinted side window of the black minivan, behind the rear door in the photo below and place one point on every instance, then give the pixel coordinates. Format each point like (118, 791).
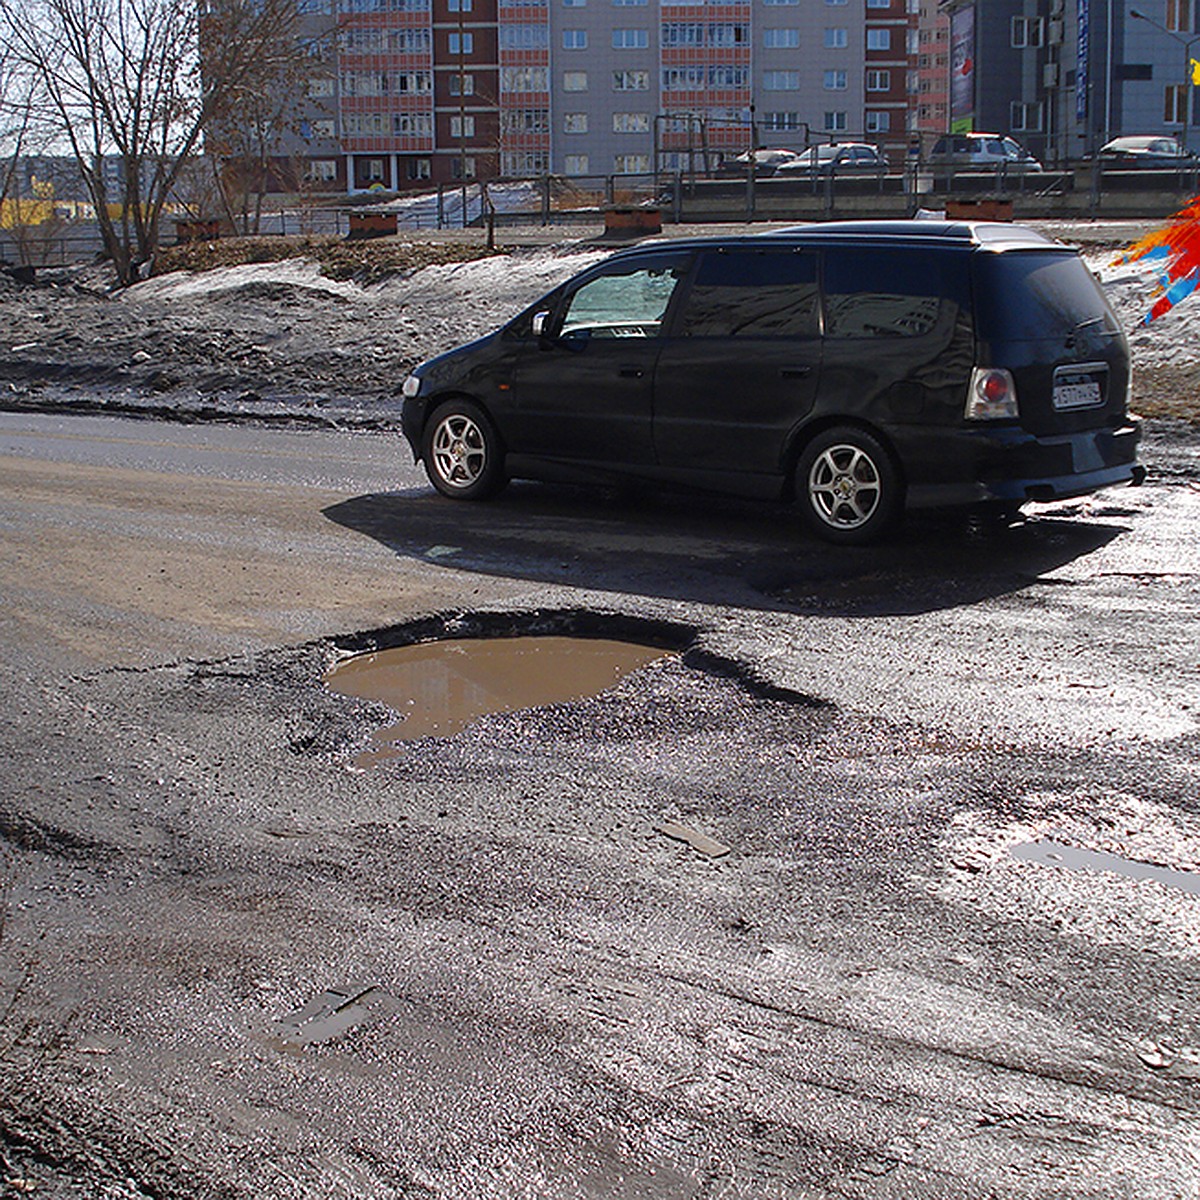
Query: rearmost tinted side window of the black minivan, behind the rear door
(904, 293)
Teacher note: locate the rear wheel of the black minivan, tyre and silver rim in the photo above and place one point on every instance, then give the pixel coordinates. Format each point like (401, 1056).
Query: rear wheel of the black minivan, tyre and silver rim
(849, 488)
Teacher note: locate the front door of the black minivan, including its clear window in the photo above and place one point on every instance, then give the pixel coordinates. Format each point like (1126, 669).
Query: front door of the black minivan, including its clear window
(583, 391)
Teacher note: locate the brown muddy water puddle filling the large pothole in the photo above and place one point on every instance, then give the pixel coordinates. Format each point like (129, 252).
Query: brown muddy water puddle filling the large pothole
(441, 688)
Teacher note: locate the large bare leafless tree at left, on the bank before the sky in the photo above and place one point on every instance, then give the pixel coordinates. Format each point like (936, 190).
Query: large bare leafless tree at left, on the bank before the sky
(129, 88)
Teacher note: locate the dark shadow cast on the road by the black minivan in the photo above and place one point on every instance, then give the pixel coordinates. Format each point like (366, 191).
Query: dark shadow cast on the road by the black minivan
(719, 553)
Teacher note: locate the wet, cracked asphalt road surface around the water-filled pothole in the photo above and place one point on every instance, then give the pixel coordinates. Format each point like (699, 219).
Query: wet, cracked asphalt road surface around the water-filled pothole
(232, 964)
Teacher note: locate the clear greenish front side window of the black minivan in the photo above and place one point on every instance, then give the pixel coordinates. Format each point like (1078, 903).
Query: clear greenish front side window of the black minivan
(628, 301)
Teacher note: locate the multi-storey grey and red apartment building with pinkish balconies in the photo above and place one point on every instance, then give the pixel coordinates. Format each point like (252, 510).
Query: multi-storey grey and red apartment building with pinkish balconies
(418, 92)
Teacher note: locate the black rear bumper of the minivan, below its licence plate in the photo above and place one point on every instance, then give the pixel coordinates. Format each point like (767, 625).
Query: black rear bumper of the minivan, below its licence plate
(1012, 466)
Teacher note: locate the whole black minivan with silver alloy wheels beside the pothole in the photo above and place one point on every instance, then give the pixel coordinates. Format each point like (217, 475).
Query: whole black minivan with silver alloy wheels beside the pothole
(854, 368)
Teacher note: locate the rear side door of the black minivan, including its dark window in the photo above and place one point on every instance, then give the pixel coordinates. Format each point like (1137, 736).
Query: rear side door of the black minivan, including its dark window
(742, 367)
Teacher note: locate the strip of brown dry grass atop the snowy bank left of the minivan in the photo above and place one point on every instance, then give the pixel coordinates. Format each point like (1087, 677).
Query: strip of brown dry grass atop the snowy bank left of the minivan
(364, 261)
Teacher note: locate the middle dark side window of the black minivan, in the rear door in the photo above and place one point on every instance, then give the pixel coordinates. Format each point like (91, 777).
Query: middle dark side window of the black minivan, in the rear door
(753, 295)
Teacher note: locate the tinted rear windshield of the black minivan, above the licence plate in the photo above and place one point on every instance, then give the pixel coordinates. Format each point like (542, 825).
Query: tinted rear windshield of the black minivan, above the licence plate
(1057, 291)
